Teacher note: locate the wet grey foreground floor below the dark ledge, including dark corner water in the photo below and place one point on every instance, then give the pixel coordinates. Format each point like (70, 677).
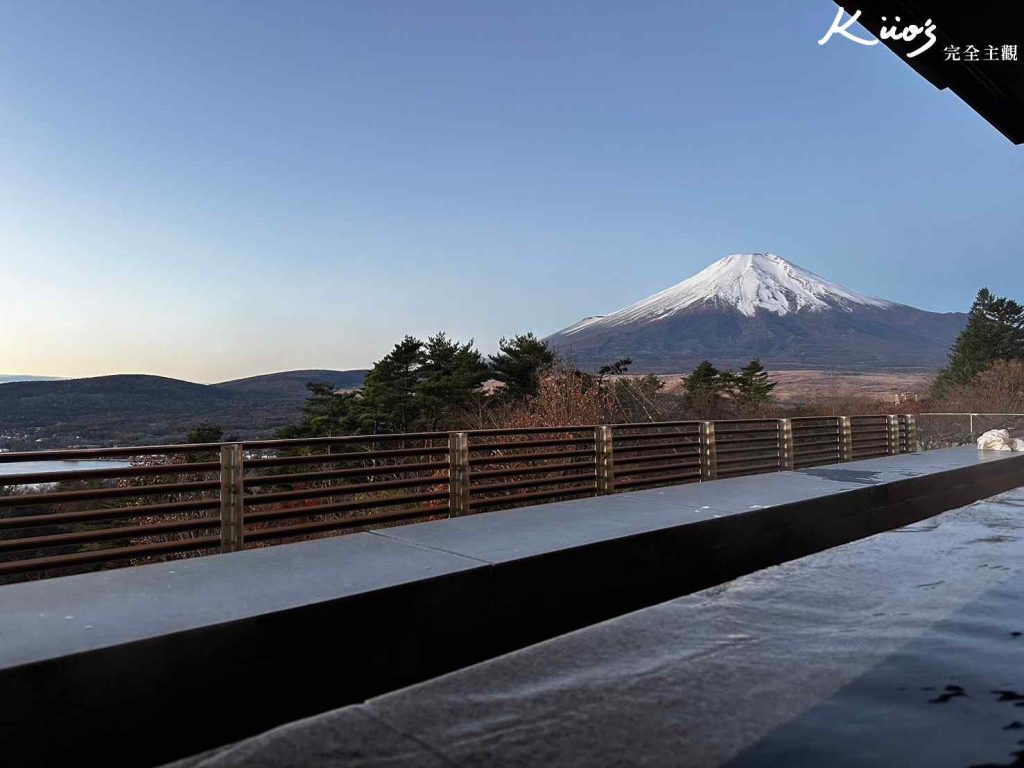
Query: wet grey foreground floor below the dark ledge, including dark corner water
(905, 649)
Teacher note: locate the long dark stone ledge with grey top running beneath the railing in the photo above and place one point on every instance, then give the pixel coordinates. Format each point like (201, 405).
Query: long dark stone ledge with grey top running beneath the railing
(168, 660)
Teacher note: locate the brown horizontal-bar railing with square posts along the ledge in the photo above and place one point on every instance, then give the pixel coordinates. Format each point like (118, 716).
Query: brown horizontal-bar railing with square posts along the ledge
(177, 501)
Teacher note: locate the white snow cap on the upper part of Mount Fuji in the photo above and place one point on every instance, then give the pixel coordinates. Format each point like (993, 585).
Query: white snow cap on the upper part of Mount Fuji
(746, 282)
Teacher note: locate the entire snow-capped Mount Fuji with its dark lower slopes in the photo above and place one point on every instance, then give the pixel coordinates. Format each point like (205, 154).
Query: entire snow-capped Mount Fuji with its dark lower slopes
(760, 306)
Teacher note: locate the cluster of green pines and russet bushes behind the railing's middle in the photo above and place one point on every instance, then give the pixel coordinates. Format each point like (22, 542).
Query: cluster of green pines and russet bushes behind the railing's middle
(441, 385)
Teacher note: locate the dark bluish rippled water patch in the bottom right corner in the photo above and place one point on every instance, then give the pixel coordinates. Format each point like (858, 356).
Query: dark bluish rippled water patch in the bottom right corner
(952, 697)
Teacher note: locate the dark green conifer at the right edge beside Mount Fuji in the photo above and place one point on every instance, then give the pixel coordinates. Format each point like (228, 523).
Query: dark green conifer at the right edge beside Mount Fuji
(995, 332)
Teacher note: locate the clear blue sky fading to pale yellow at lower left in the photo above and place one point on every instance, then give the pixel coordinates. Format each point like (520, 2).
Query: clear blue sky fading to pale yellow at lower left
(210, 190)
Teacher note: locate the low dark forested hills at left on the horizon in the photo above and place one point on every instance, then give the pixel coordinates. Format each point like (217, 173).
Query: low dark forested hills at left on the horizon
(135, 409)
